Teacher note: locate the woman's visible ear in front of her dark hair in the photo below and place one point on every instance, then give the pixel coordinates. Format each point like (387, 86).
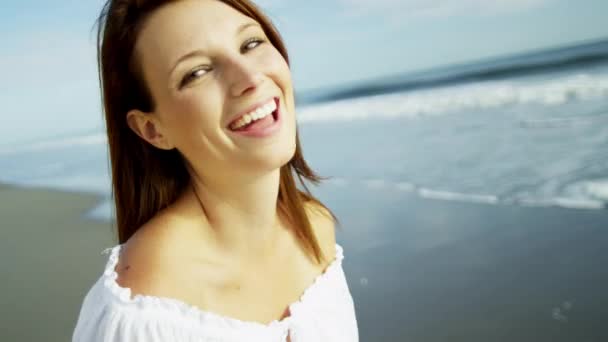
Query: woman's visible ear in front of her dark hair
(148, 127)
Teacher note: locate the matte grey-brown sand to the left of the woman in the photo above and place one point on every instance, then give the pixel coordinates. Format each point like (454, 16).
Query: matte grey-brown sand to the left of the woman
(51, 256)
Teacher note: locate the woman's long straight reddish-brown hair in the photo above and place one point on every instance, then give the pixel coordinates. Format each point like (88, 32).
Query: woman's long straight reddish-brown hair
(146, 179)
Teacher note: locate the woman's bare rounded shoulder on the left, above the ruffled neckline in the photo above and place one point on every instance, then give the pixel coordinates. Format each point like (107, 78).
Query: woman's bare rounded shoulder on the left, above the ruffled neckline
(147, 263)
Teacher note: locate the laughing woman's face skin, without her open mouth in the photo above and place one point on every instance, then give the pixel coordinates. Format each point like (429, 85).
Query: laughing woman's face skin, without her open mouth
(205, 63)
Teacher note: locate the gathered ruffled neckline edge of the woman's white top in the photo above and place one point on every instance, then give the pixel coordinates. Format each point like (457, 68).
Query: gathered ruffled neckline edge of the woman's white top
(193, 311)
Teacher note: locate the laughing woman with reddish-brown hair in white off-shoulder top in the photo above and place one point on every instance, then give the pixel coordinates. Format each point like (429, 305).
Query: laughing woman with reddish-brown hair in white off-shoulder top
(216, 241)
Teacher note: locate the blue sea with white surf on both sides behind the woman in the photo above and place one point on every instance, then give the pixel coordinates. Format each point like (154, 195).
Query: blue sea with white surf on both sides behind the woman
(526, 130)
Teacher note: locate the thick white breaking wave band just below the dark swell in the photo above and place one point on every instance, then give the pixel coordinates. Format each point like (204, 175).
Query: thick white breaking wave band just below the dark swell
(438, 101)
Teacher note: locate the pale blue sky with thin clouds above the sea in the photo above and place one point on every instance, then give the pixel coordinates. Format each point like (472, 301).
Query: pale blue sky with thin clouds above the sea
(50, 87)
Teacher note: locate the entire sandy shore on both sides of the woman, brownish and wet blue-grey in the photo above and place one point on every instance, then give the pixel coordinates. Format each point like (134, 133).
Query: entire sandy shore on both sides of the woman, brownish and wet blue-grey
(418, 269)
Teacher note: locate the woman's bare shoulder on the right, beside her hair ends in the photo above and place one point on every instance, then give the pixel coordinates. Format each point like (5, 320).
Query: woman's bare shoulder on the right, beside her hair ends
(324, 227)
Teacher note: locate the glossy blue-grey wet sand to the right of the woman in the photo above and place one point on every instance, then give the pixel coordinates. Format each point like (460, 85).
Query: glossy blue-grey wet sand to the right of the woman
(429, 270)
